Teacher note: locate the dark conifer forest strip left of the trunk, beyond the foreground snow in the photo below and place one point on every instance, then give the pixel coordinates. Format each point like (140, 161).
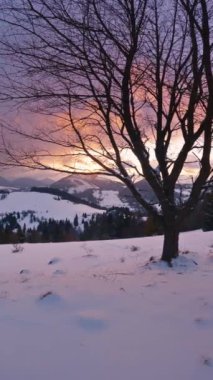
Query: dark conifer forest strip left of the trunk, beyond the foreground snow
(114, 223)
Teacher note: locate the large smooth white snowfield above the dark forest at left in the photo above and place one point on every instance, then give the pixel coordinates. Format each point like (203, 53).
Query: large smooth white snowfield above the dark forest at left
(45, 206)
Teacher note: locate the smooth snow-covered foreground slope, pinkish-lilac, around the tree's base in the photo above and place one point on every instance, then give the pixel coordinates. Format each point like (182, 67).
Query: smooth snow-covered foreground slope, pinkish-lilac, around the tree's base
(103, 311)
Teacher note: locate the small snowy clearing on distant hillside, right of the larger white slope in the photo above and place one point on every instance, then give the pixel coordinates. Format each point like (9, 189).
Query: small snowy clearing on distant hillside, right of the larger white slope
(109, 198)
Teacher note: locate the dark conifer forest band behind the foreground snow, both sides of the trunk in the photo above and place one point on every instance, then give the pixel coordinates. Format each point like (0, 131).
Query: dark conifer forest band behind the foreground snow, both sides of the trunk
(115, 223)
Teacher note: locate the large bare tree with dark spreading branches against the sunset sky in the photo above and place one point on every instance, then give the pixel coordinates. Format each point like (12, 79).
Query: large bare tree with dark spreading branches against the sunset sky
(131, 83)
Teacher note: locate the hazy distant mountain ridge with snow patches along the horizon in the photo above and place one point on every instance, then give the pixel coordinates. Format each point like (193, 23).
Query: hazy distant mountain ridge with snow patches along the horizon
(99, 191)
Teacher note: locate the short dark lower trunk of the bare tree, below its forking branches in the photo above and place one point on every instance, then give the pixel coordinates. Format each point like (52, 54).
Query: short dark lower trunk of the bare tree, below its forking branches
(170, 245)
